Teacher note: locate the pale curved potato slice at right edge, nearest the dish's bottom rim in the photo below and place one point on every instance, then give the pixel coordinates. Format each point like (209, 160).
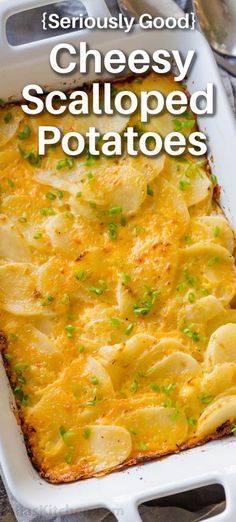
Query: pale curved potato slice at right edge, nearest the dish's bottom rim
(221, 411)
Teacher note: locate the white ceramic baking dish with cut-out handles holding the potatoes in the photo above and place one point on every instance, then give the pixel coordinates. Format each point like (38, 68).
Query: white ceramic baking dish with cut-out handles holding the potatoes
(120, 492)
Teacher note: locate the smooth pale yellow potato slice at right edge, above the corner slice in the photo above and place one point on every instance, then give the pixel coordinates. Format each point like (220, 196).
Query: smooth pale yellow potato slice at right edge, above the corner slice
(222, 346)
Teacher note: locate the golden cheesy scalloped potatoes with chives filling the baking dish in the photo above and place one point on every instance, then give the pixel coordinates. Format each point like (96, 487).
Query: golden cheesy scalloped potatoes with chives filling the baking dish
(116, 284)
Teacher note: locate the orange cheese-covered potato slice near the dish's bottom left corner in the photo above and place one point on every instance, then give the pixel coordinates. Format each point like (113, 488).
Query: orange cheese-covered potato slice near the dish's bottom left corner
(75, 398)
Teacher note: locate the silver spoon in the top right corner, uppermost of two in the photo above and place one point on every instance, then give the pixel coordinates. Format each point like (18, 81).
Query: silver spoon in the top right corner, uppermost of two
(217, 20)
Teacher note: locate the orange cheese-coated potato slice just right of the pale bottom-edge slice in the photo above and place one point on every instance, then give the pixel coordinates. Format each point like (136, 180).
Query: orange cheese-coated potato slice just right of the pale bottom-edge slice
(155, 428)
